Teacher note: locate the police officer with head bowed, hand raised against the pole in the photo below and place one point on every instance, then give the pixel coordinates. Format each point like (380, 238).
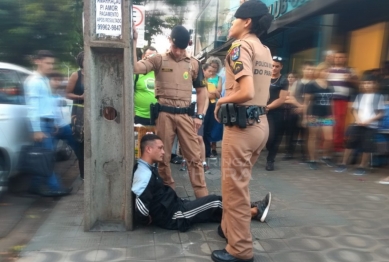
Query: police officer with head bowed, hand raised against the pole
(175, 74)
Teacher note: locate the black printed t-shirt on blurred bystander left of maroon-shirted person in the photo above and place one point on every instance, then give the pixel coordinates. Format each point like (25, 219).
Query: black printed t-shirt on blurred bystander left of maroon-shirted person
(321, 99)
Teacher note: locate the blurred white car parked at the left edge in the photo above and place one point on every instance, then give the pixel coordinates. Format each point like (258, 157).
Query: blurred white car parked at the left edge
(14, 131)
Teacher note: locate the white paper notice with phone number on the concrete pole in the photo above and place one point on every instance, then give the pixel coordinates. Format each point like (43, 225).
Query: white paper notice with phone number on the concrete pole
(109, 17)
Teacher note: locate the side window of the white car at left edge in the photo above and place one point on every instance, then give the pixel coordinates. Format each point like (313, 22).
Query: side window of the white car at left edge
(10, 87)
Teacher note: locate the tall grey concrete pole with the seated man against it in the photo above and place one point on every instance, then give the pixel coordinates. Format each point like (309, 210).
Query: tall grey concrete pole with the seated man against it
(108, 119)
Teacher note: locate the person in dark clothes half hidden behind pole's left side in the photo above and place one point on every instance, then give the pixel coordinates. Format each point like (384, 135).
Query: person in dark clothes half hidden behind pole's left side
(75, 92)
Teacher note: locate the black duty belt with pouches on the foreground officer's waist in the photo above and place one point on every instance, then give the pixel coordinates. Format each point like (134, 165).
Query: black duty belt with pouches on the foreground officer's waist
(231, 114)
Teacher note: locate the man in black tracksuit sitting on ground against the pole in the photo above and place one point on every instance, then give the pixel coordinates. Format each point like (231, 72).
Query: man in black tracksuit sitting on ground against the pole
(159, 204)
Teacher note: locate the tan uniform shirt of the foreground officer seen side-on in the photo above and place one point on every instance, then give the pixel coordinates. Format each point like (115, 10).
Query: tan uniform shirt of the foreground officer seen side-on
(249, 57)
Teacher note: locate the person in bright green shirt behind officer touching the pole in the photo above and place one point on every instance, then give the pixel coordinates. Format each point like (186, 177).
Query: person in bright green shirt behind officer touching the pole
(144, 94)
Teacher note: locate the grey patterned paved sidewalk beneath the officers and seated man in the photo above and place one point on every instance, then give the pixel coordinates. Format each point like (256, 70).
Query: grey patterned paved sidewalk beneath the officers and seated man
(315, 216)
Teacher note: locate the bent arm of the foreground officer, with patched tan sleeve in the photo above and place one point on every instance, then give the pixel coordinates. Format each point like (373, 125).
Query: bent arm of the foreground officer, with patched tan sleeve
(242, 67)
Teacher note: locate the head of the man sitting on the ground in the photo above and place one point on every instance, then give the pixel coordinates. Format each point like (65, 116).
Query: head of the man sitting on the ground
(151, 148)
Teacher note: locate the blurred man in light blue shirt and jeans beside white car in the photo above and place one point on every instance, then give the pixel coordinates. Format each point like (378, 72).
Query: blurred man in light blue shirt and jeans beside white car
(41, 114)
